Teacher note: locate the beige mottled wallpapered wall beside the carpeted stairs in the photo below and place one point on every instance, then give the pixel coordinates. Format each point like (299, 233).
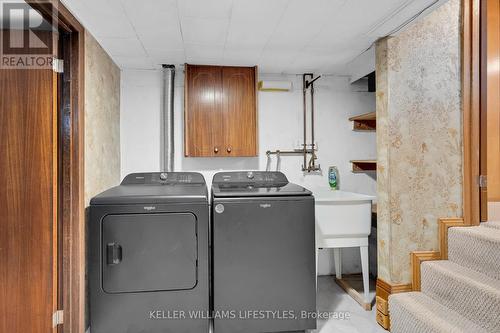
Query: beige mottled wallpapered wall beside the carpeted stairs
(419, 137)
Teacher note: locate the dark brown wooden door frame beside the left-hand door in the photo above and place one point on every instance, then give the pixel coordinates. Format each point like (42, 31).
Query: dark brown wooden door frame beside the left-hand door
(72, 231)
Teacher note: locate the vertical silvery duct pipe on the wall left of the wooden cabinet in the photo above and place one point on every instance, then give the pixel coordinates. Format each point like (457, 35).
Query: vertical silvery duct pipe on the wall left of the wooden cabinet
(167, 119)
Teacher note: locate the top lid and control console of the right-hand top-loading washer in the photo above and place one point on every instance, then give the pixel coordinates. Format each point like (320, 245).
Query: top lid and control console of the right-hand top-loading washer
(255, 184)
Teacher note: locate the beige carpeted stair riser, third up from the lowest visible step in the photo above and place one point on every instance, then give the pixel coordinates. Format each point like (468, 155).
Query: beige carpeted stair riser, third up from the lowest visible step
(474, 251)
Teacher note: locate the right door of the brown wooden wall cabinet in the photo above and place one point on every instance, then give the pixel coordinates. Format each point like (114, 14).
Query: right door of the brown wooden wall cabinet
(239, 111)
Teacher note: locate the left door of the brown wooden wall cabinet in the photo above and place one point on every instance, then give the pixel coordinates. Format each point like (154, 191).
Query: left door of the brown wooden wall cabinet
(203, 111)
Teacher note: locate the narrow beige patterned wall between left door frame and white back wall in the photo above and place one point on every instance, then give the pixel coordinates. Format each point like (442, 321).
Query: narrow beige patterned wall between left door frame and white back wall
(102, 120)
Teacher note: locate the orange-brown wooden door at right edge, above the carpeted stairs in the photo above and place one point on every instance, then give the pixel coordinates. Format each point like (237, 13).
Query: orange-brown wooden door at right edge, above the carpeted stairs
(491, 137)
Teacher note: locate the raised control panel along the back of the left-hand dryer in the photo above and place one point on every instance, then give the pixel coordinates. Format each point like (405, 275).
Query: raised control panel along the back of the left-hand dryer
(163, 178)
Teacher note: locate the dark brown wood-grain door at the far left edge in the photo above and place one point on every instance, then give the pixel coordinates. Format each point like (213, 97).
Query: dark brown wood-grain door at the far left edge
(28, 200)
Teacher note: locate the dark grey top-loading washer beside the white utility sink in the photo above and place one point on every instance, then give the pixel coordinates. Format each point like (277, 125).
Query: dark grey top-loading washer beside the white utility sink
(263, 247)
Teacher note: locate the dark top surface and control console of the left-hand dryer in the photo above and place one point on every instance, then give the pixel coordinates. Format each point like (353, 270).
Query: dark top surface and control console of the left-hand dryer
(156, 187)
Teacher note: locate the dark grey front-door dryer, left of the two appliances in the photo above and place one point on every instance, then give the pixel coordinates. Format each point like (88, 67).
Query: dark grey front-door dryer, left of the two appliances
(148, 265)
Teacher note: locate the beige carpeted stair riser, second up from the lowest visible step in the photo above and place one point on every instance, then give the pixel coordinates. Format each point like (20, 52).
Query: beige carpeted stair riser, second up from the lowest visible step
(476, 302)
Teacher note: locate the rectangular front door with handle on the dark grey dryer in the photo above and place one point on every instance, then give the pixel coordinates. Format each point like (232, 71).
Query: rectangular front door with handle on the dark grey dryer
(149, 252)
